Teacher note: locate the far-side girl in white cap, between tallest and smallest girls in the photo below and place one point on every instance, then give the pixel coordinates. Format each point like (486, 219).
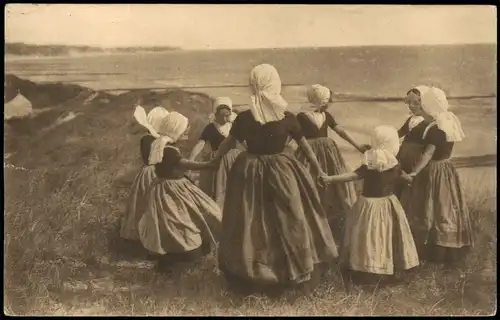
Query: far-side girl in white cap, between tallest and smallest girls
(337, 199)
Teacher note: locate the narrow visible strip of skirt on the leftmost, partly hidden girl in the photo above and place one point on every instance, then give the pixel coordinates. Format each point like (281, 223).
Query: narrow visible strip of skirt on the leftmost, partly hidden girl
(137, 203)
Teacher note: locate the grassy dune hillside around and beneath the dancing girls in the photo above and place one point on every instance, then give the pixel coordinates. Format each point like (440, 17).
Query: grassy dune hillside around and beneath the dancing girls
(67, 187)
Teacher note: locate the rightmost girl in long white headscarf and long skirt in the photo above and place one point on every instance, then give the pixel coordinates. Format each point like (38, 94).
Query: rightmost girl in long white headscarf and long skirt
(442, 226)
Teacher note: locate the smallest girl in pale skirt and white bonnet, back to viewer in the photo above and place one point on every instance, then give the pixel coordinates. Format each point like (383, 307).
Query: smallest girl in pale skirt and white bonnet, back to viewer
(377, 239)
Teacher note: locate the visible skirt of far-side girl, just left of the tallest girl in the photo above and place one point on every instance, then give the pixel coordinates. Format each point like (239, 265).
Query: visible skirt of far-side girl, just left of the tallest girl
(213, 182)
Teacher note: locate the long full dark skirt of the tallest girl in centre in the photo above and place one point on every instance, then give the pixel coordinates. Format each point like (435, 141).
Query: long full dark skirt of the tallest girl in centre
(274, 230)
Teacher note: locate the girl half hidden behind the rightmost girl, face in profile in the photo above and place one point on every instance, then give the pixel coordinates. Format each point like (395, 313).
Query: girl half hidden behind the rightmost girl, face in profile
(412, 132)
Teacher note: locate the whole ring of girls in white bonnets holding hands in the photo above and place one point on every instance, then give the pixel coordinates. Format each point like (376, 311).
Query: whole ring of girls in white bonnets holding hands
(278, 219)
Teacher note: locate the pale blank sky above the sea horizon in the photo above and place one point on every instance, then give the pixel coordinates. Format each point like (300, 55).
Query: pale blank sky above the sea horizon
(245, 26)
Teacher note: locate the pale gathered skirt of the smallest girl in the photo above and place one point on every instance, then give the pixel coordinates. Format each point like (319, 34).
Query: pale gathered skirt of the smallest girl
(378, 238)
